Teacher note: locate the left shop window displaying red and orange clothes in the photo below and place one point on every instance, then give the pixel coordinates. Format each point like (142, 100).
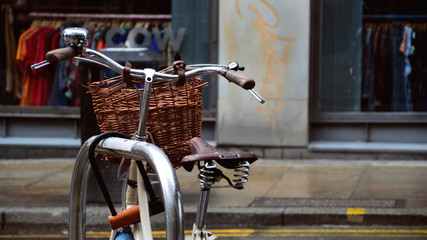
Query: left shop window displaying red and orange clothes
(29, 35)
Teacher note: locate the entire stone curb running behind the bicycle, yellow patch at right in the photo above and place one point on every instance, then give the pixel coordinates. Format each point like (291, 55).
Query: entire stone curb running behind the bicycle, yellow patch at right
(48, 219)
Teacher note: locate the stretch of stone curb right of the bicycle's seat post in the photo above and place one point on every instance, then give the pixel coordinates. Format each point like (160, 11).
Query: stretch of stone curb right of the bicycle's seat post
(252, 217)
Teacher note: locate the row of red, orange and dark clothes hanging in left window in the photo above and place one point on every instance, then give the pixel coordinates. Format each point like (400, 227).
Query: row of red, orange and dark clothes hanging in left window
(57, 85)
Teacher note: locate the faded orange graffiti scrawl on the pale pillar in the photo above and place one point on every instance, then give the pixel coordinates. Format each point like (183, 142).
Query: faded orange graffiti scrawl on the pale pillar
(272, 82)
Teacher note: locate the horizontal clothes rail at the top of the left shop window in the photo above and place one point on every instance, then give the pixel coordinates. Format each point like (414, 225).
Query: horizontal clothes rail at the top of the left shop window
(102, 16)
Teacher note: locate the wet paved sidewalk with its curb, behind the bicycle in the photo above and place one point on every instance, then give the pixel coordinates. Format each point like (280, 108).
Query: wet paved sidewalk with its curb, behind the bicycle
(279, 192)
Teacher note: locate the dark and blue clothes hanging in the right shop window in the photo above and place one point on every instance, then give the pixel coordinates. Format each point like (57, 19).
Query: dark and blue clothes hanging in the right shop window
(394, 56)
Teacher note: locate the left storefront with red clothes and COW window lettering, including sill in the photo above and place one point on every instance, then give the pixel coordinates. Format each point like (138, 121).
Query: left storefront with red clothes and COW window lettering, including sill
(44, 112)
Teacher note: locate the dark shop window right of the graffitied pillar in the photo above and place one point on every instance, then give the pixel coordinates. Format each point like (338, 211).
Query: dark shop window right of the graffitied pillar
(369, 57)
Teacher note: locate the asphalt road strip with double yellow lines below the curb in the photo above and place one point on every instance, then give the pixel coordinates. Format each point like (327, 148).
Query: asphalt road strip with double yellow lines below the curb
(300, 233)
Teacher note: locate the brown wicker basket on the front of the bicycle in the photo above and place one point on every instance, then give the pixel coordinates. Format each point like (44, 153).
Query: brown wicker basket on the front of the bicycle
(174, 115)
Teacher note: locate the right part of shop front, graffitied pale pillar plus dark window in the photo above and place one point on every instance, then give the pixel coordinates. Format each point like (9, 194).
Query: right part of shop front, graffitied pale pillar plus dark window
(342, 79)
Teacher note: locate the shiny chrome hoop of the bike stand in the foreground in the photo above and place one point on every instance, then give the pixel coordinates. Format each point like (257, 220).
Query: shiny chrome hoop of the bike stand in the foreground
(134, 150)
